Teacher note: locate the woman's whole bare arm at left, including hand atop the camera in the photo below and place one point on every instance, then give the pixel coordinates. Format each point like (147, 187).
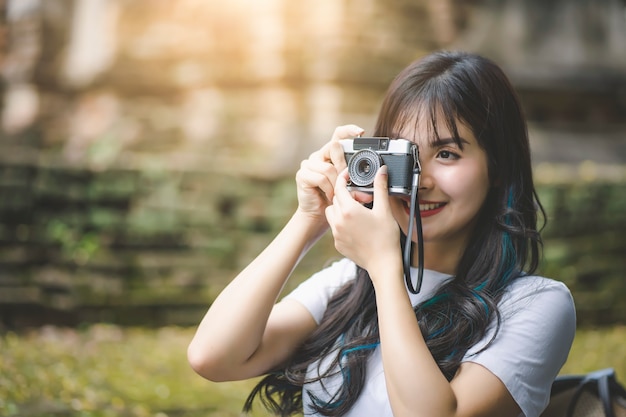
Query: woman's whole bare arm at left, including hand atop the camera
(244, 333)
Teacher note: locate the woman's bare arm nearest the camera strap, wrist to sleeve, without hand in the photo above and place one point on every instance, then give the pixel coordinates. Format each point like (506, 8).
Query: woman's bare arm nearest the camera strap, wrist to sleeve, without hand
(415, 384)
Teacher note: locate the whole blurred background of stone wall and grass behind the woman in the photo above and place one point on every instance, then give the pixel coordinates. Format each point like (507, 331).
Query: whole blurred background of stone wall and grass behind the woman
(148, 149)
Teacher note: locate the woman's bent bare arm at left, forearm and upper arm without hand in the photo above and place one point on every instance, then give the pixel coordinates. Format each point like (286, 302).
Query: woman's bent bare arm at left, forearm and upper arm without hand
(241, 336)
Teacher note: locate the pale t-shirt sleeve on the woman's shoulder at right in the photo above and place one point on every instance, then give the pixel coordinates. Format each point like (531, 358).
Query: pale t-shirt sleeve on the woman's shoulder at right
(538, 324)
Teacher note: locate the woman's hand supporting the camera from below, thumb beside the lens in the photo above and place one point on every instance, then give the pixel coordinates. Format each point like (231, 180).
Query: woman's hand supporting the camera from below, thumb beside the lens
(370, 238)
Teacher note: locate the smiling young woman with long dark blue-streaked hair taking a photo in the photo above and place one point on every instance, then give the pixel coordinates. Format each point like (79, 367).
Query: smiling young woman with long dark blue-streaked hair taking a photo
(483, 337)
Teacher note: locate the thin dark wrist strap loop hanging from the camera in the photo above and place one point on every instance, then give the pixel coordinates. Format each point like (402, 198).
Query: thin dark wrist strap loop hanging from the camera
(408, 244)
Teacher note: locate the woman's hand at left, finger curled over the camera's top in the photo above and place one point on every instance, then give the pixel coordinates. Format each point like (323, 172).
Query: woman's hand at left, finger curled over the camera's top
(317, 175)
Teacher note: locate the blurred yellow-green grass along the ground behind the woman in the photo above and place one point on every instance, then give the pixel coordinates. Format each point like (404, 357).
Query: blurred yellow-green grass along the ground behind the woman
(106, 371)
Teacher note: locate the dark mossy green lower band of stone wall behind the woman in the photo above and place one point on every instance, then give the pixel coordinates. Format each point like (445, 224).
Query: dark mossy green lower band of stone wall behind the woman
(138, 247)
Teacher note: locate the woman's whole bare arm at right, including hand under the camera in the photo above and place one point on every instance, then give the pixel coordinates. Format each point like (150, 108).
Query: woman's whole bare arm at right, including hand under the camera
(415, 385)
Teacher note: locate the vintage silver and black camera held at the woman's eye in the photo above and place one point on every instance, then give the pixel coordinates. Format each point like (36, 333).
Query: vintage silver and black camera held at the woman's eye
(365, 156)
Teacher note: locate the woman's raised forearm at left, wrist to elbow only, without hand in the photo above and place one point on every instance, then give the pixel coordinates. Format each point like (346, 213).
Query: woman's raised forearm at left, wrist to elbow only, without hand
(233, 327)
